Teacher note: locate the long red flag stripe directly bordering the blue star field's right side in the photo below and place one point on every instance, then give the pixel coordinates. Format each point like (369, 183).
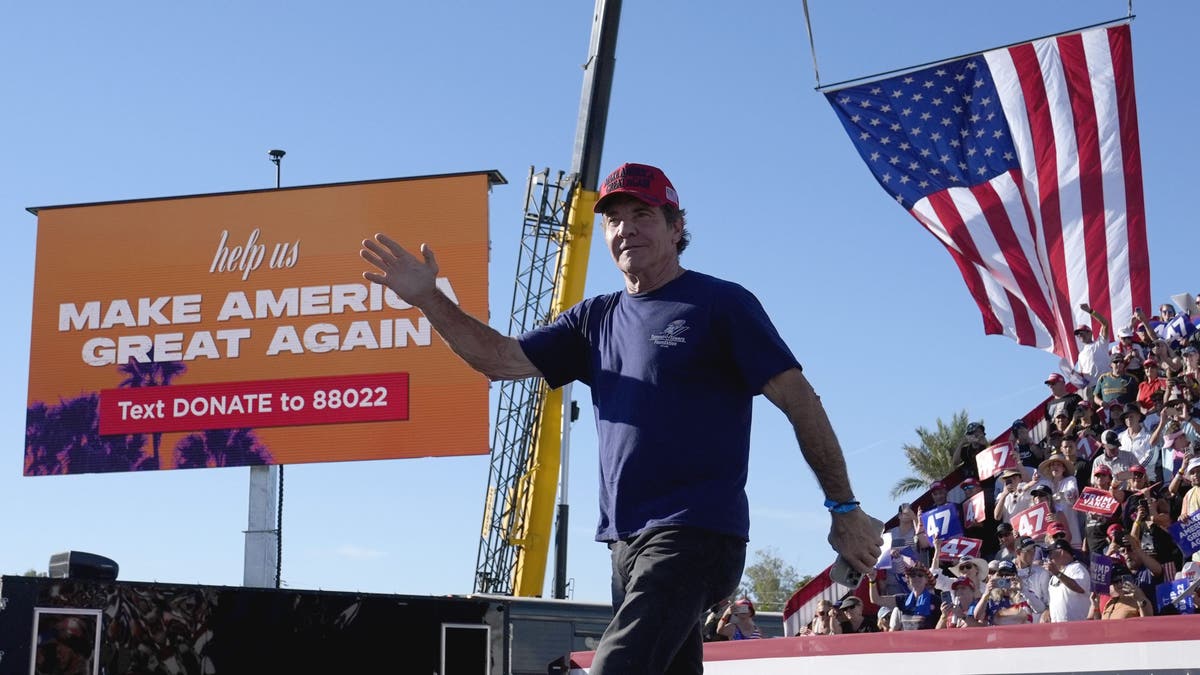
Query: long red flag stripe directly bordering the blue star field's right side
(1029, 74)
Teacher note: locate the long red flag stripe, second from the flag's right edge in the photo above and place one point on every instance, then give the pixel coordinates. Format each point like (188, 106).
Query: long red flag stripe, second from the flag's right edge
(1091, 175)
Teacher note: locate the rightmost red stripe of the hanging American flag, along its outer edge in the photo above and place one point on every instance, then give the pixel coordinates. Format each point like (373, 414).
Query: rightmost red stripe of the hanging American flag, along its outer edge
(1131, 152)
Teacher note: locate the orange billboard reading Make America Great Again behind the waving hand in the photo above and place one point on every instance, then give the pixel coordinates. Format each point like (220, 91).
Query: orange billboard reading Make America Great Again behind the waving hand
(237, 330)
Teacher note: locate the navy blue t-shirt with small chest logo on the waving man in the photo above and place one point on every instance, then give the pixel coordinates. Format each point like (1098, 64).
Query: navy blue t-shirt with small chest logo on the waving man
(673, 375)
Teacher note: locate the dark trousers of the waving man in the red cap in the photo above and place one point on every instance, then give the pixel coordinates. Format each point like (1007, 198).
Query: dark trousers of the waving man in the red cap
(663, 581)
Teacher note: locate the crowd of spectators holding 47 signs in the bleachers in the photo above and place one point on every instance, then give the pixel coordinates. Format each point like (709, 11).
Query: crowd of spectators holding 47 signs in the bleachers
(1079, 511)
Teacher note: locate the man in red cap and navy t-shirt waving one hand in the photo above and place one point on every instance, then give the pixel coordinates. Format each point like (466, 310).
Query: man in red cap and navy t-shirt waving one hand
(674, 362)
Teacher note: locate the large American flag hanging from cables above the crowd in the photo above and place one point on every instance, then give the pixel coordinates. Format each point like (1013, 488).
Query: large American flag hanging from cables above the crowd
(1025, 164)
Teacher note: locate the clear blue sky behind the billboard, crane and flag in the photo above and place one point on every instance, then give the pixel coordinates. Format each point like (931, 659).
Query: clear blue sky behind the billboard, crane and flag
(133, 100)
